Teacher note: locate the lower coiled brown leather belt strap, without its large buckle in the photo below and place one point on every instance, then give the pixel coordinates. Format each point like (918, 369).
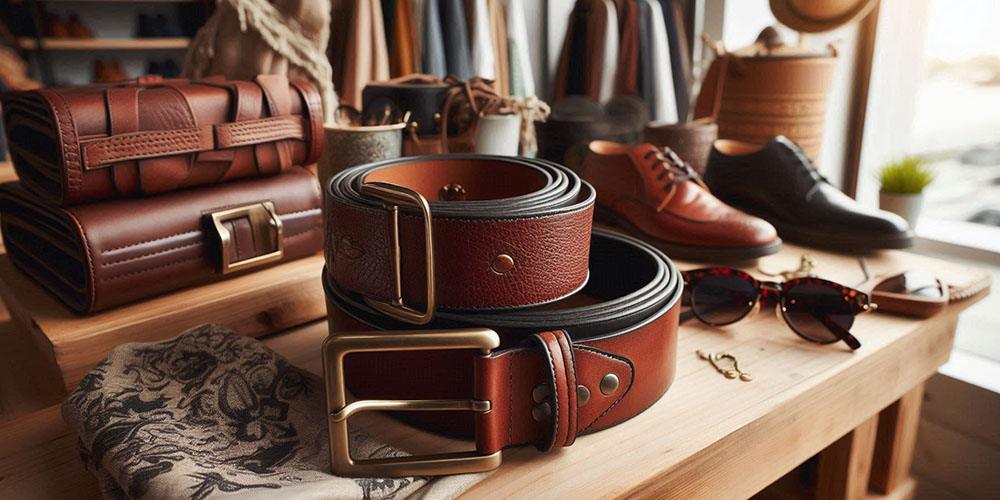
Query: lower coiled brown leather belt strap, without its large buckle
(623, 323)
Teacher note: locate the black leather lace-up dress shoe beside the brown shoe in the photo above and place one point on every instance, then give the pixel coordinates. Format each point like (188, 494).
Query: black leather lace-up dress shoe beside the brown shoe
(778, 183)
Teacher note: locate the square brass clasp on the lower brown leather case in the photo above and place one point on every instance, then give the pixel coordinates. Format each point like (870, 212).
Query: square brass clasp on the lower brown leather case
(267, 235)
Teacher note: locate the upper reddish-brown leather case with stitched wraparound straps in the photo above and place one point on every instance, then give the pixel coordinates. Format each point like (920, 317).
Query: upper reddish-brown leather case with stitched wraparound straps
(143, 137)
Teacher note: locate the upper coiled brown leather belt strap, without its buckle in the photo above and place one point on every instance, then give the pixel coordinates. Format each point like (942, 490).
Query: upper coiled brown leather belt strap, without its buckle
(535, 213)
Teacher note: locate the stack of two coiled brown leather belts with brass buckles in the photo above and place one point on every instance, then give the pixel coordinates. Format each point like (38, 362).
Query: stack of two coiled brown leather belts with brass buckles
(532, 371)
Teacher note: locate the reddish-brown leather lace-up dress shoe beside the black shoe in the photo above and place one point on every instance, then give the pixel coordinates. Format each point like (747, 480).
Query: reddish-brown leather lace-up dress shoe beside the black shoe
(652, 193)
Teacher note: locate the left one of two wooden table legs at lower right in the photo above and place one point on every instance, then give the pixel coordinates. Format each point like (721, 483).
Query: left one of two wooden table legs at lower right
(845, 465)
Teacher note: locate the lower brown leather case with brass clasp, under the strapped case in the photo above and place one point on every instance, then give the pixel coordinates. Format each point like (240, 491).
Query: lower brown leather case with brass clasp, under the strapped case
(99, 255)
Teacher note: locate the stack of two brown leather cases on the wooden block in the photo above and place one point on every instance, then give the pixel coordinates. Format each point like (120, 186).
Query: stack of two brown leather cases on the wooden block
(132, 189)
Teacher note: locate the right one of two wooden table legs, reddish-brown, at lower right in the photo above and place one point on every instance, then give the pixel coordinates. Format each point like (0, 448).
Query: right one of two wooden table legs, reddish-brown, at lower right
(897, 436)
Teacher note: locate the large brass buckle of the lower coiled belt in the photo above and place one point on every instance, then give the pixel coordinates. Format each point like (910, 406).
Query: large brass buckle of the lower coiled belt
(336, 346)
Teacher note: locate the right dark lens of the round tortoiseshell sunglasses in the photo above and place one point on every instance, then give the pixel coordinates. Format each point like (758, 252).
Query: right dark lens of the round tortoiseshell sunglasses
(807, 306)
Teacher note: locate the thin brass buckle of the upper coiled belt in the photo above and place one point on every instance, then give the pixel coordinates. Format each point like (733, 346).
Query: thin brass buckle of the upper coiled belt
(394, 196)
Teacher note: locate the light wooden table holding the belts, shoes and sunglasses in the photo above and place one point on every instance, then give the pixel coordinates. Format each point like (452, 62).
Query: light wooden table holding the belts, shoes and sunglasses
(708, 437)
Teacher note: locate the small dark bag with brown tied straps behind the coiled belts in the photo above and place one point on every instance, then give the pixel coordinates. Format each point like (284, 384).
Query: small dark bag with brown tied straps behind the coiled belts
(431, 102)
